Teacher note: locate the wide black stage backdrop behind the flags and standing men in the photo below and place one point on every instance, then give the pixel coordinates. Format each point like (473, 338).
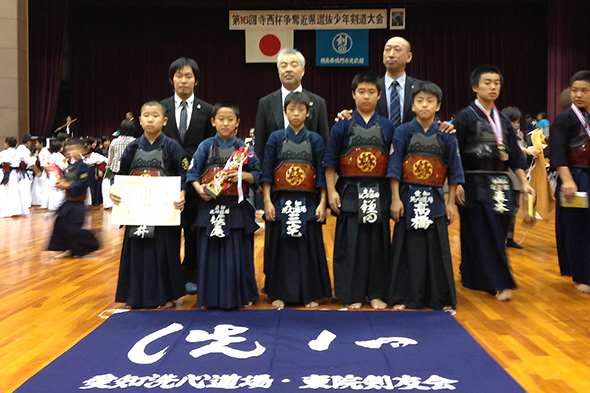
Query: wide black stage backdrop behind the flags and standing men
(121, 56)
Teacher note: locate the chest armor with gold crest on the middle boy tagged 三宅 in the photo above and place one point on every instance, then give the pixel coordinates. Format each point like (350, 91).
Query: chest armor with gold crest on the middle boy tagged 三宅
(296, 168)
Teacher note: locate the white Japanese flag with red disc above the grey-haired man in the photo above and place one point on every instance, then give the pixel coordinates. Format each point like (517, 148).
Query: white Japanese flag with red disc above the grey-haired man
(262, 46)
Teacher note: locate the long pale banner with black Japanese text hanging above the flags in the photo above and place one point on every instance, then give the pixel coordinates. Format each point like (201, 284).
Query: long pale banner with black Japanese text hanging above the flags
(309, 19)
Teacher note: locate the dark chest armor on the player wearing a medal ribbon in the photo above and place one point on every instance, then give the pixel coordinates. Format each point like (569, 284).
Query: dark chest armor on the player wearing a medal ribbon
(482, 154)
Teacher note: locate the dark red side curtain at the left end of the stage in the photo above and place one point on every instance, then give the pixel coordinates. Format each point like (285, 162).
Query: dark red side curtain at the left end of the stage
(47, 37)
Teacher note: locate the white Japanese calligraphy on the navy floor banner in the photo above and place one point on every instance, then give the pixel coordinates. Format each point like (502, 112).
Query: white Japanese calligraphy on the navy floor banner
(224, 335)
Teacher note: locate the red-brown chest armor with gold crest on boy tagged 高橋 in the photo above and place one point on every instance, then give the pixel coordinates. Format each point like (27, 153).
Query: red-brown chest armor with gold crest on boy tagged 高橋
(424, 162)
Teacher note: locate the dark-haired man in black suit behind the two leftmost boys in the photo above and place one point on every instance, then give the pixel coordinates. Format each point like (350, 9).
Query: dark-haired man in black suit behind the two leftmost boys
(189, 123)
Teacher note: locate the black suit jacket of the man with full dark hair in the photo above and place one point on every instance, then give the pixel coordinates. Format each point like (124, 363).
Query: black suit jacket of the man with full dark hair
(199, 129)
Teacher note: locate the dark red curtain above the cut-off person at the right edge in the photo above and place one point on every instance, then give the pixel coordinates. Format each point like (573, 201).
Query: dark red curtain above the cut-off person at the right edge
(568, 47)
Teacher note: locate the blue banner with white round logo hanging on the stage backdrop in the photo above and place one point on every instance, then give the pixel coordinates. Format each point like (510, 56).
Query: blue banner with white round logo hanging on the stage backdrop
(342, 48)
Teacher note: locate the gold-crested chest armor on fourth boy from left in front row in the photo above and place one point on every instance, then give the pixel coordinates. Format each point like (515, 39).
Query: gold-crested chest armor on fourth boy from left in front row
(366, 153)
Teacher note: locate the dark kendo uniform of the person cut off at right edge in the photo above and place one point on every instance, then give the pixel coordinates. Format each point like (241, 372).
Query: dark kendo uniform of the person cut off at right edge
(570, 146)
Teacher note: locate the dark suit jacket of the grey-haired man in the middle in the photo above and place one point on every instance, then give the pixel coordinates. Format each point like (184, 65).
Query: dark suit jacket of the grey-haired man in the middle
(269, 118)
